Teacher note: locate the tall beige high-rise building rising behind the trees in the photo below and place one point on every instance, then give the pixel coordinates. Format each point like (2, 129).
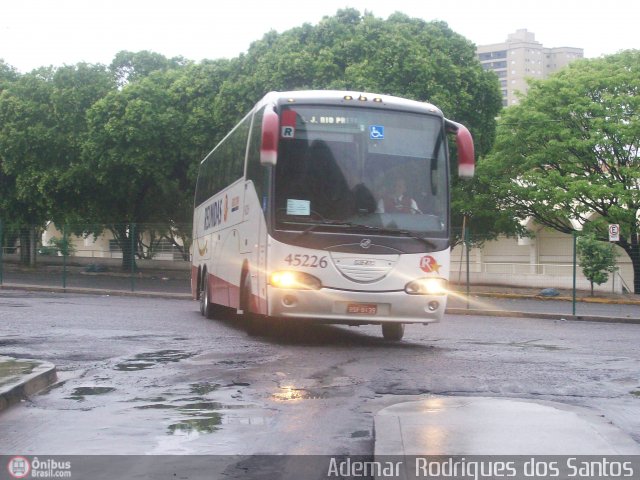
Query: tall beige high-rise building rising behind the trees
(521, 57)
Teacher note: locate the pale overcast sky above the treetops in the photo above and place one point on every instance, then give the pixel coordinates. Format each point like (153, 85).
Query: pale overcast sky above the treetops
(35, 33)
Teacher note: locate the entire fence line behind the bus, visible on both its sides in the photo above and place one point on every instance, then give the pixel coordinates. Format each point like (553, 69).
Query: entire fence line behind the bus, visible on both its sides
(151, 257)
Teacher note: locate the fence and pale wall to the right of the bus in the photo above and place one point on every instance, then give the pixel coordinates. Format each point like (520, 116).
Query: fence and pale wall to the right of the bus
(545, 266)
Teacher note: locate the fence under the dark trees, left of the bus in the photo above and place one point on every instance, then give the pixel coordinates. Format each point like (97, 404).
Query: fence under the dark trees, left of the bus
(124, 257)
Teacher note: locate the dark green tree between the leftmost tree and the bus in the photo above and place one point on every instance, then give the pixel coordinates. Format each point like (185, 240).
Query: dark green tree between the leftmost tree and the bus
(134, 156)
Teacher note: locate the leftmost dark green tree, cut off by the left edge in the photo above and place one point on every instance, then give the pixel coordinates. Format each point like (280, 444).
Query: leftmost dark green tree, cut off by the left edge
(42, 122)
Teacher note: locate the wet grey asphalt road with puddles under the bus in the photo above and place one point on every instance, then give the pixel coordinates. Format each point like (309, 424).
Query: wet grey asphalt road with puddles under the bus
(152, 376)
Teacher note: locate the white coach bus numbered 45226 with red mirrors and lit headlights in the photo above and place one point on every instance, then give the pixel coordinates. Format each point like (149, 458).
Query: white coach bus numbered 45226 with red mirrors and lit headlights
(330, 207)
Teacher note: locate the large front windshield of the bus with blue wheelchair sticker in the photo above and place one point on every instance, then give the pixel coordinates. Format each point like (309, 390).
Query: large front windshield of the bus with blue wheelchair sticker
(361, 168)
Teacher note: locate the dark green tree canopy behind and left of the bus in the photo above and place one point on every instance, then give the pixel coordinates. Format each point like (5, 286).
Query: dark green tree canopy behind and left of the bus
(127, 139)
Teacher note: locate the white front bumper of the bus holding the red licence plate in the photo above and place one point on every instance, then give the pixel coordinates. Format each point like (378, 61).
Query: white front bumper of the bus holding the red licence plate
(339, 306)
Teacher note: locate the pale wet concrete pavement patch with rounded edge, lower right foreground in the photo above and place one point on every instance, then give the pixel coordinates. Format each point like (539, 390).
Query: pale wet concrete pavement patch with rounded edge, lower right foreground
(479, 426)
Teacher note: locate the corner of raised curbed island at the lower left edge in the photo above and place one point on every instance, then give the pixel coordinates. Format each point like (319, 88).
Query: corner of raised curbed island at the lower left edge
(26, 378)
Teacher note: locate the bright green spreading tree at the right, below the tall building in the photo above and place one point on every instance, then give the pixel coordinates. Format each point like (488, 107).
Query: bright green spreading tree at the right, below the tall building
(570, 151)
